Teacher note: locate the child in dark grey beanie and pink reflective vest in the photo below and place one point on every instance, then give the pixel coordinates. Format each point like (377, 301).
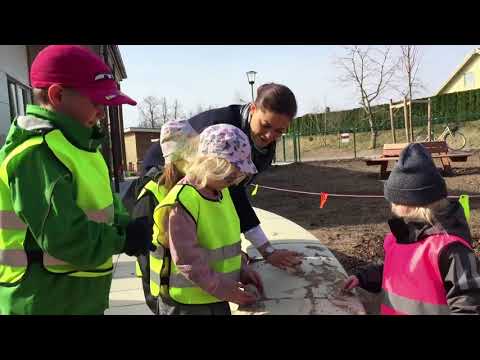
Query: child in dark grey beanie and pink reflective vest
(429, 266)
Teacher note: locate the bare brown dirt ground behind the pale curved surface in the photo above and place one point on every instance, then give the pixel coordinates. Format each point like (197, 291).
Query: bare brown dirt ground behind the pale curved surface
(352, 228)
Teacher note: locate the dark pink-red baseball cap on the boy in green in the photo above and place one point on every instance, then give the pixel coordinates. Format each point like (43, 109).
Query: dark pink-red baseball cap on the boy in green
(78, 68)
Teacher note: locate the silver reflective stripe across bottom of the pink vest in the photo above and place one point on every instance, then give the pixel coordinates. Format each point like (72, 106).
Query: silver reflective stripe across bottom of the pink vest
(400, 304)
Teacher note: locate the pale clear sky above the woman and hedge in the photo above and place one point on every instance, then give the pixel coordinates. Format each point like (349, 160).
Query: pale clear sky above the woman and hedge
(215, 74)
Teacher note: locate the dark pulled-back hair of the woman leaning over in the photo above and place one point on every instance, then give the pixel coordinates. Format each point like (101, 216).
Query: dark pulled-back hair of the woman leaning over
(276, 98)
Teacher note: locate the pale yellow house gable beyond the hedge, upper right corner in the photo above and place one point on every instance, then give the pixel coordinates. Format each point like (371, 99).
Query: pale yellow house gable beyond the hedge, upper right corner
(466, 76)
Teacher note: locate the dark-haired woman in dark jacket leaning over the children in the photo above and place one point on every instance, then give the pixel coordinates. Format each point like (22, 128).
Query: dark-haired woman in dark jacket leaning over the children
(263, 121)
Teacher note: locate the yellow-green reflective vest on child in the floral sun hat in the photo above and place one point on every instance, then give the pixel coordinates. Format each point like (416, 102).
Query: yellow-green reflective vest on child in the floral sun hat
(218, 233)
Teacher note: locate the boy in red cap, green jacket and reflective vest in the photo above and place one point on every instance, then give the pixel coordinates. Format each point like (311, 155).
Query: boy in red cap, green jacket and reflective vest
(60, 223)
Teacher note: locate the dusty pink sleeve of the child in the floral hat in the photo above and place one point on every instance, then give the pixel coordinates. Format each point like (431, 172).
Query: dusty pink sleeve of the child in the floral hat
(190, 258)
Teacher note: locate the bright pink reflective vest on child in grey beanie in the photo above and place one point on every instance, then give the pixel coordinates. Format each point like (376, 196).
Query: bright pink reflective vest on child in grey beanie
(412, 283)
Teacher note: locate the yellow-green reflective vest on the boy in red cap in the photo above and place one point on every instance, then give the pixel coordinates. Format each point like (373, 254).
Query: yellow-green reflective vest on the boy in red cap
(95, 198)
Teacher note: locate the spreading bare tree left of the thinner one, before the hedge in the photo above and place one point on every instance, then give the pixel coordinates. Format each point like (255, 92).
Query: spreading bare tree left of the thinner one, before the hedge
(371, 71)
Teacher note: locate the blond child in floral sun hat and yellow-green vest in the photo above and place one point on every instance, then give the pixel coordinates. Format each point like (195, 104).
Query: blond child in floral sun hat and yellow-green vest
(201, 229)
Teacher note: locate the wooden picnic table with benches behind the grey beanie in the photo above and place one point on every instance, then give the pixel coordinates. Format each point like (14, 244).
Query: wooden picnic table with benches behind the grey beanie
(438, 150)
